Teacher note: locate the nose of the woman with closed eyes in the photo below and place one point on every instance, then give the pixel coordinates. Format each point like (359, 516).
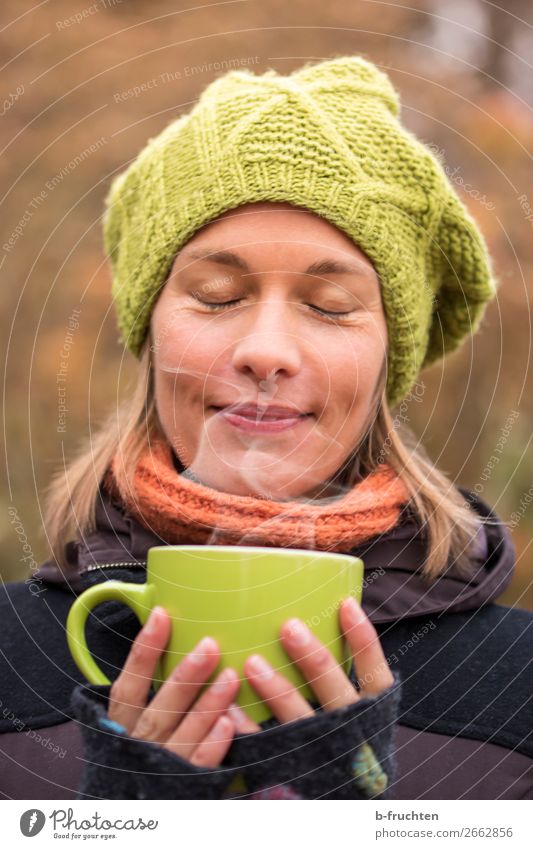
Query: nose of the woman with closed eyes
(269, 344)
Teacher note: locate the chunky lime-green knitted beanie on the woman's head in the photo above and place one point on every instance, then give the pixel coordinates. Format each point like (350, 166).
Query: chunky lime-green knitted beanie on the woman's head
(326, 138)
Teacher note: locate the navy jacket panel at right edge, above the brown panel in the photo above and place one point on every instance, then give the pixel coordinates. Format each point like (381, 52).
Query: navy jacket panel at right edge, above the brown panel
(467, 673)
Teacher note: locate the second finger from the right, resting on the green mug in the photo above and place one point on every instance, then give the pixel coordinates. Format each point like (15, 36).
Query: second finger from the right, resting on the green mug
(327, 678)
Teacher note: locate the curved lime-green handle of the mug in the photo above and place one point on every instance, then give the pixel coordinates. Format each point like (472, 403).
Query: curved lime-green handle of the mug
(136, 596)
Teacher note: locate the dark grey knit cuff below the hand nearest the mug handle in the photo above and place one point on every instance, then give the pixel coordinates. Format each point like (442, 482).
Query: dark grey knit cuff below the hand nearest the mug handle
(121, 767)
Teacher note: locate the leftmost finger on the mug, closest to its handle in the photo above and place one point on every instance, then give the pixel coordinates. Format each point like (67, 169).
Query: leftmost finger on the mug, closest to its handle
(129, 692)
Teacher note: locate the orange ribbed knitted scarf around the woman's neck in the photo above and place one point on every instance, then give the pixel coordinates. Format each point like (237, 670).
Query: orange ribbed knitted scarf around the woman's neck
(182, 511)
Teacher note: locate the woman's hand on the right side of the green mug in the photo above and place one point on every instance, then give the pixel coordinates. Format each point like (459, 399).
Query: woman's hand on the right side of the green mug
(327, 678)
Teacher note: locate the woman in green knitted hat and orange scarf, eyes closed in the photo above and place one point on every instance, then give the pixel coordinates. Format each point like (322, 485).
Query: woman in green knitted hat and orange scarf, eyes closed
(286, 258)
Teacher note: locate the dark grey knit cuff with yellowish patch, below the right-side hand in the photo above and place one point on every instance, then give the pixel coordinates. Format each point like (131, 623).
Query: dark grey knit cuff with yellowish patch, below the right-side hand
(345, 753)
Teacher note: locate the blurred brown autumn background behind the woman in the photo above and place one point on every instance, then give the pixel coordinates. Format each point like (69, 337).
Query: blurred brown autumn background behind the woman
(85, 85)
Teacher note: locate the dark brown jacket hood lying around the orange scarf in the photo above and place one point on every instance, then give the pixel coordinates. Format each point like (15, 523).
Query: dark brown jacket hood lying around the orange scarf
(393, 586)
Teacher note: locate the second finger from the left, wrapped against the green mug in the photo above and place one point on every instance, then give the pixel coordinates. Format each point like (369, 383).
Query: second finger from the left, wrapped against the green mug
(173, 699)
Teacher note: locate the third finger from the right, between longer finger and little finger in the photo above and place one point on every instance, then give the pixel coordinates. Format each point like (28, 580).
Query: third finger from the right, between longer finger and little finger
(282, 697)
